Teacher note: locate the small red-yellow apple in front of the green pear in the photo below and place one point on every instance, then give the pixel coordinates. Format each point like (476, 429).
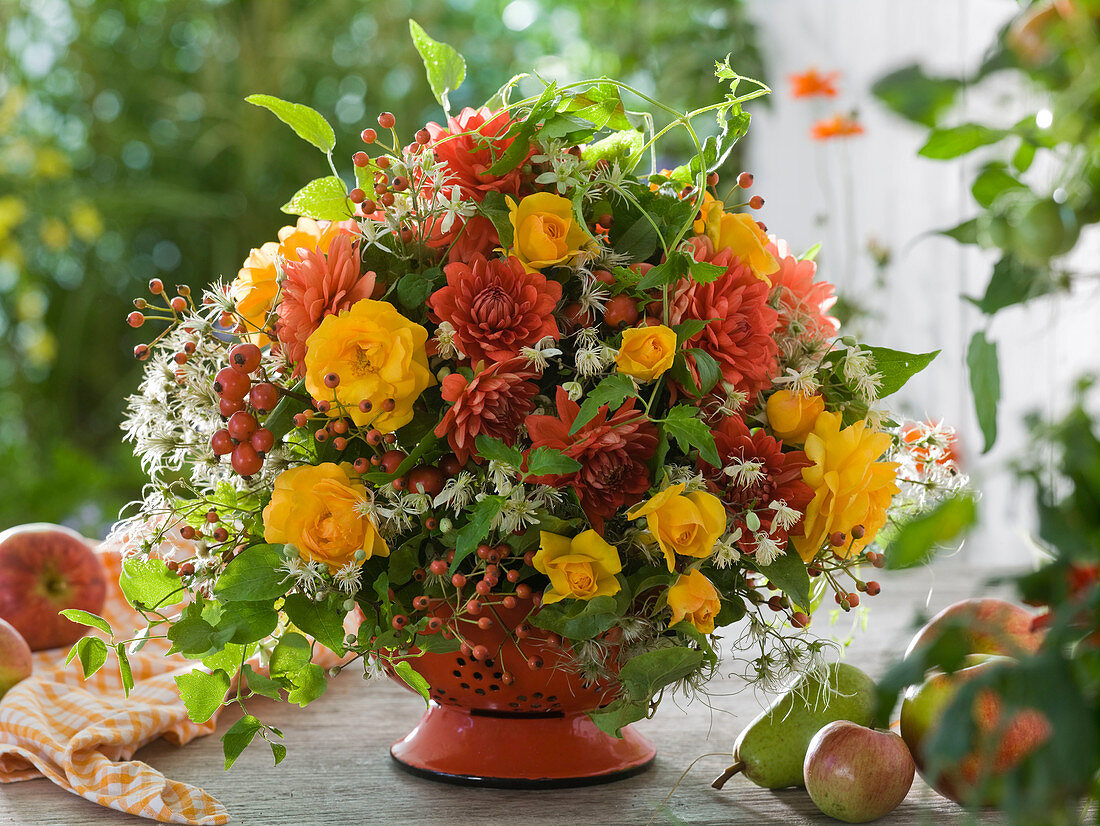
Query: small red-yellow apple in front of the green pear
(855, 774)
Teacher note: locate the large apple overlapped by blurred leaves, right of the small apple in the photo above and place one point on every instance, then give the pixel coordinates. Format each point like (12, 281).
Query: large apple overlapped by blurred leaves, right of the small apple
(1002, 744)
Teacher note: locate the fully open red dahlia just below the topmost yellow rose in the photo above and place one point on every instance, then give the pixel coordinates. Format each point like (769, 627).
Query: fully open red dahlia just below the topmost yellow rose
(497, 307)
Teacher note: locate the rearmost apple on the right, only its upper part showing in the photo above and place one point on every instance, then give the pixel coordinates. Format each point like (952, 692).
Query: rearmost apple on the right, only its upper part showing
(991, 627)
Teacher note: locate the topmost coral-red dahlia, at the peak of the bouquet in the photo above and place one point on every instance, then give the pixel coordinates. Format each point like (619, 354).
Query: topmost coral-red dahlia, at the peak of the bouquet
(478, 146)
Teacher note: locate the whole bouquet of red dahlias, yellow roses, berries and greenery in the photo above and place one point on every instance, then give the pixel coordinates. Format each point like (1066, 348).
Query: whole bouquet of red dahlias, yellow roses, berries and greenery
(508, 368)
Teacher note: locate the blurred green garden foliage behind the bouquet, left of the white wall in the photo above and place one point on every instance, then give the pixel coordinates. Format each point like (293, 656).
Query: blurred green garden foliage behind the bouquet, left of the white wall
(127, 153)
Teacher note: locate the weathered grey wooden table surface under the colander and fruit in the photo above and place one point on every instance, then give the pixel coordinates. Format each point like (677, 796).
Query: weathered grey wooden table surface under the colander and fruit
(339, 770)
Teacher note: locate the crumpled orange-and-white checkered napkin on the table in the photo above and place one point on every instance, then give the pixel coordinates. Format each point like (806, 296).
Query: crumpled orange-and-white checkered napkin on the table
(83, 734)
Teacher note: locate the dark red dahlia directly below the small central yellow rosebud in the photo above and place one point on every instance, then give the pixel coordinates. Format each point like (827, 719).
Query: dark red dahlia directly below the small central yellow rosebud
(613, 451)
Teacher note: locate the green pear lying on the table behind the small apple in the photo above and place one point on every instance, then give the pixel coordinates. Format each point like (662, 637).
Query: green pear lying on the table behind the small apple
(773, 748)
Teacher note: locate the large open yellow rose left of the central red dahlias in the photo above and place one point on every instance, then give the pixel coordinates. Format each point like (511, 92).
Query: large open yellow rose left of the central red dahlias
(379, 357)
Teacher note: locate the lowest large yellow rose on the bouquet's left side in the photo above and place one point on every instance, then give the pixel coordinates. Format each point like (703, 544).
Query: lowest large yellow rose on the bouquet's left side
(318, 510)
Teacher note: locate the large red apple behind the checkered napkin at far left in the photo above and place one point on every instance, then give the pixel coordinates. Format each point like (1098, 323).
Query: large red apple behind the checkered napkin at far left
(46, 569)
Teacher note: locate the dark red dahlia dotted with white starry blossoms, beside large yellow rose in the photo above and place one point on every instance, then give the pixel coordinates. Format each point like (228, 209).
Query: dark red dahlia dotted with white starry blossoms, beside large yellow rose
(779, 479)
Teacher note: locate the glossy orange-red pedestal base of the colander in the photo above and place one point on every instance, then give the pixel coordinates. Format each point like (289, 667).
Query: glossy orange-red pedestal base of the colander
(519, 751)
